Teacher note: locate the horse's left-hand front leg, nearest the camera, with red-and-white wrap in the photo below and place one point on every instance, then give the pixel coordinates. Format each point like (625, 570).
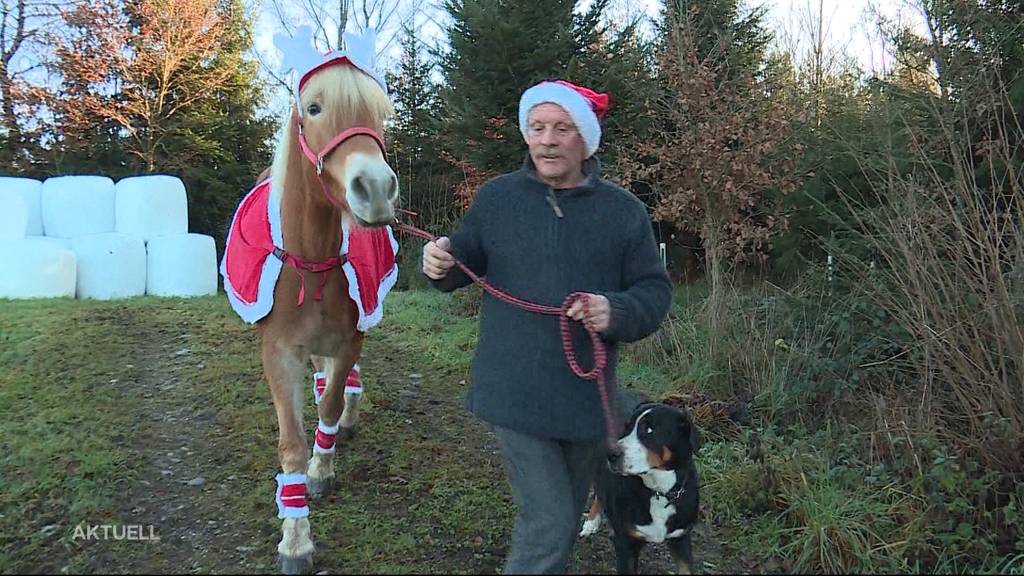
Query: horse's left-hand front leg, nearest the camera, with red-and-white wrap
(285, 367)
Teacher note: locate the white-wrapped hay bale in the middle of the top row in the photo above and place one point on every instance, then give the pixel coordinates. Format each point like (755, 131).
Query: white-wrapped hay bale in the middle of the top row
(75, 207)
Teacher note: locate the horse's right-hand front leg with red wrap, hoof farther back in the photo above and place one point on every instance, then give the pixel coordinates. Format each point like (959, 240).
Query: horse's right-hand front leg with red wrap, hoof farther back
(331, 428)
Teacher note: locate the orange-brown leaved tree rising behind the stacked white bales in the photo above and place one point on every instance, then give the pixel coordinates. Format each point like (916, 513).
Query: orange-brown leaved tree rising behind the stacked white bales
(146, 90)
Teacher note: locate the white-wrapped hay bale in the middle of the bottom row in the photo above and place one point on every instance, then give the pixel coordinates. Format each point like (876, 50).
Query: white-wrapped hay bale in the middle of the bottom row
(110, 266)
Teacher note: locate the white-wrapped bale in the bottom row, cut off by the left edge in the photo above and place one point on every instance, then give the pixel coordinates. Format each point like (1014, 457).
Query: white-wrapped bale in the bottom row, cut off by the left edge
(36, 270)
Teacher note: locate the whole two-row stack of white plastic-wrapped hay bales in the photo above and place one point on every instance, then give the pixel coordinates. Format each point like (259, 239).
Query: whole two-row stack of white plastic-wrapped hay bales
(87, 237)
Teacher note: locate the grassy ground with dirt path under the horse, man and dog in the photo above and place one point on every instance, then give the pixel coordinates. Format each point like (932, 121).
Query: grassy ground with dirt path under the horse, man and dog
(112, 413)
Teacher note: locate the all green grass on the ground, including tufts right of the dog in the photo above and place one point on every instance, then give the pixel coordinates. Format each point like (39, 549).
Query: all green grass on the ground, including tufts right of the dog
(86, 388)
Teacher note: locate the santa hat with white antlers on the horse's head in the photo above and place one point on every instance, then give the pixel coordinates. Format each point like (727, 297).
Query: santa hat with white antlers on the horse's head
(300, 55)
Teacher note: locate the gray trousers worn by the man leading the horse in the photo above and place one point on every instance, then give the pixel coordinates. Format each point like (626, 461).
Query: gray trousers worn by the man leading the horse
(550, 481)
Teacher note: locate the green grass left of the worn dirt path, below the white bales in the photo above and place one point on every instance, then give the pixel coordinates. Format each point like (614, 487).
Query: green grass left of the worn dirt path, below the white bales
(64, 424)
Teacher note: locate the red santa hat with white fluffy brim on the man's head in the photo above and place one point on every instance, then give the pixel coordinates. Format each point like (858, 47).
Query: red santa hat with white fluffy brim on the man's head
(586, 107)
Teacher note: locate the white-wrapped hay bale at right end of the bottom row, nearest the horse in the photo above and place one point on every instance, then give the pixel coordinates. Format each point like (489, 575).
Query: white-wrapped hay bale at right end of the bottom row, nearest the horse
(184, 265)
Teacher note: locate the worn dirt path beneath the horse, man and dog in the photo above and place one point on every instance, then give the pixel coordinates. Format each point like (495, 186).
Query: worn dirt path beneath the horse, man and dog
(421, 482)
